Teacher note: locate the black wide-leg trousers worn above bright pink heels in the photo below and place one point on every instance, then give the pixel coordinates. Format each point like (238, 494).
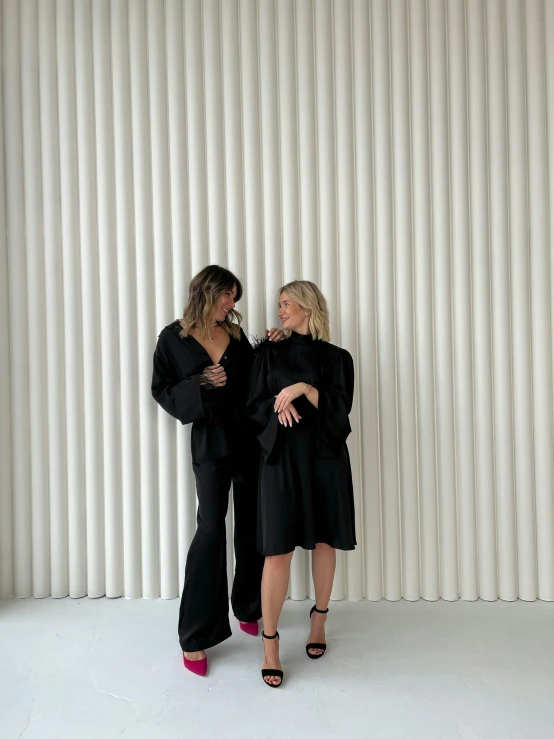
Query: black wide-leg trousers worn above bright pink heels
(204, 611)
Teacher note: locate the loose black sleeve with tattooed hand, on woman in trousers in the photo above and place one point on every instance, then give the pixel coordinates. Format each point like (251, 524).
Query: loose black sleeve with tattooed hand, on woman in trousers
(181, 399)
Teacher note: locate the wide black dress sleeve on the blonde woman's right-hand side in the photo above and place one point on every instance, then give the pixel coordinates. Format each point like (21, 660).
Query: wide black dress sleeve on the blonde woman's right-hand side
(334, 405)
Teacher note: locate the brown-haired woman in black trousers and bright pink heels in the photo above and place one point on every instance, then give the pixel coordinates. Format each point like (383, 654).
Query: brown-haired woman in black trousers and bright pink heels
(201, 368)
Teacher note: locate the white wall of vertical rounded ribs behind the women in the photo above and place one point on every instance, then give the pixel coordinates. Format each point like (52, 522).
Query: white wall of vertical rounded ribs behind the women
(400, 154)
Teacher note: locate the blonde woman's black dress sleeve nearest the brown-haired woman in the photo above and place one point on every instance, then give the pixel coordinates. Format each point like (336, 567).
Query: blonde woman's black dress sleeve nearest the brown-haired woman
(260, 402)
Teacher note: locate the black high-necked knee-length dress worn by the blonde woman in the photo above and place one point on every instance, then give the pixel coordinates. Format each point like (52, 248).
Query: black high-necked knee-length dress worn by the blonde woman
(305, 488)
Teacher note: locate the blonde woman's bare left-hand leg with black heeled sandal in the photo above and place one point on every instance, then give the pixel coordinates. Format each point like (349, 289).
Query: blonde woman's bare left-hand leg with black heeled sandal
(275, 582)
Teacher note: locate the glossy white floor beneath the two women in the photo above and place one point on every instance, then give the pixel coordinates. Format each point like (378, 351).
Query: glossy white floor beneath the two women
(74, 669)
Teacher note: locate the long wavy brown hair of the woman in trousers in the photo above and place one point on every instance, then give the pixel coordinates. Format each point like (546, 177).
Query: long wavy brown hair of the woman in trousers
(204, 290)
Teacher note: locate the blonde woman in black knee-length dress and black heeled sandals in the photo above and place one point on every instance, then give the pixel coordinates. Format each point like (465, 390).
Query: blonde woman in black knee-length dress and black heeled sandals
(300, 396)
